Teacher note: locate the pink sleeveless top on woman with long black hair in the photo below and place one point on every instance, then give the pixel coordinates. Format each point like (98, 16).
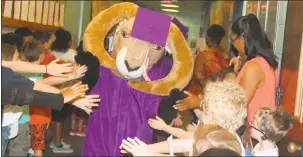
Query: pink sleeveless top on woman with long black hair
(265, 96)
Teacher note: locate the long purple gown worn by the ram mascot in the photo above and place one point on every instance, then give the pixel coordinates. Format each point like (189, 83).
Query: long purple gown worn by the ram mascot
(123, 112)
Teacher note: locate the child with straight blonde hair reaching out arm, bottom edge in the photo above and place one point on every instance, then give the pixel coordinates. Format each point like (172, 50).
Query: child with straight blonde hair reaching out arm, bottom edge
(205, 137)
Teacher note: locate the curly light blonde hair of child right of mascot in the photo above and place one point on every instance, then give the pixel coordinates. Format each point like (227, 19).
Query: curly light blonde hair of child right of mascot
(225, 104)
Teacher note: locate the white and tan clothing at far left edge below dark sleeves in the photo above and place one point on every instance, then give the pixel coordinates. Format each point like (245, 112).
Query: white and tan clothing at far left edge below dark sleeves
(11, 115)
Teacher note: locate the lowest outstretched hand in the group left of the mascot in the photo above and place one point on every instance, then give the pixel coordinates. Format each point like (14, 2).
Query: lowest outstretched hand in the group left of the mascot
(87, 103)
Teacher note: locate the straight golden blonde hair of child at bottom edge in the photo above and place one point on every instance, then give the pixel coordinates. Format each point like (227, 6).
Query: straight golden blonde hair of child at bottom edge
(213, 136)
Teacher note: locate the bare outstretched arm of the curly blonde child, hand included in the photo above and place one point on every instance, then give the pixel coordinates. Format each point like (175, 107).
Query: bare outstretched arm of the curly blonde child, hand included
(159, 124)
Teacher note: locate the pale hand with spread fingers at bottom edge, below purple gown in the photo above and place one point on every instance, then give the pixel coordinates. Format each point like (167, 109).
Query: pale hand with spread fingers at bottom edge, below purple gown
(136, 147)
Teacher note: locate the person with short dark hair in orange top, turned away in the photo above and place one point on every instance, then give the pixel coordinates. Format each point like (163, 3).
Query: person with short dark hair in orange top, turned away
(211, 60)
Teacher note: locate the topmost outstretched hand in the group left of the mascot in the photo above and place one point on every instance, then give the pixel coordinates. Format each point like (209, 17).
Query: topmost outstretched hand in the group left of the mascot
(56, 69)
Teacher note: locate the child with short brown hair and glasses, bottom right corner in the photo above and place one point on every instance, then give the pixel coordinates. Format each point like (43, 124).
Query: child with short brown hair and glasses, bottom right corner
(269, 126)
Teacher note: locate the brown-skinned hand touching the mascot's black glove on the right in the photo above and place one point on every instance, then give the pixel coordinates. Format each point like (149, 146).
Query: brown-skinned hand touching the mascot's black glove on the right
(191, 102)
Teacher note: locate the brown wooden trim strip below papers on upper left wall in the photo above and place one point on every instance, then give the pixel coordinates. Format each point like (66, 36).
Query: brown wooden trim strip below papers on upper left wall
(9, 22)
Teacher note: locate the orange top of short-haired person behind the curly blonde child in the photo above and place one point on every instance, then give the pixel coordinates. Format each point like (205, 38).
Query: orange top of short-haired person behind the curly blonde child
(213, 63)
